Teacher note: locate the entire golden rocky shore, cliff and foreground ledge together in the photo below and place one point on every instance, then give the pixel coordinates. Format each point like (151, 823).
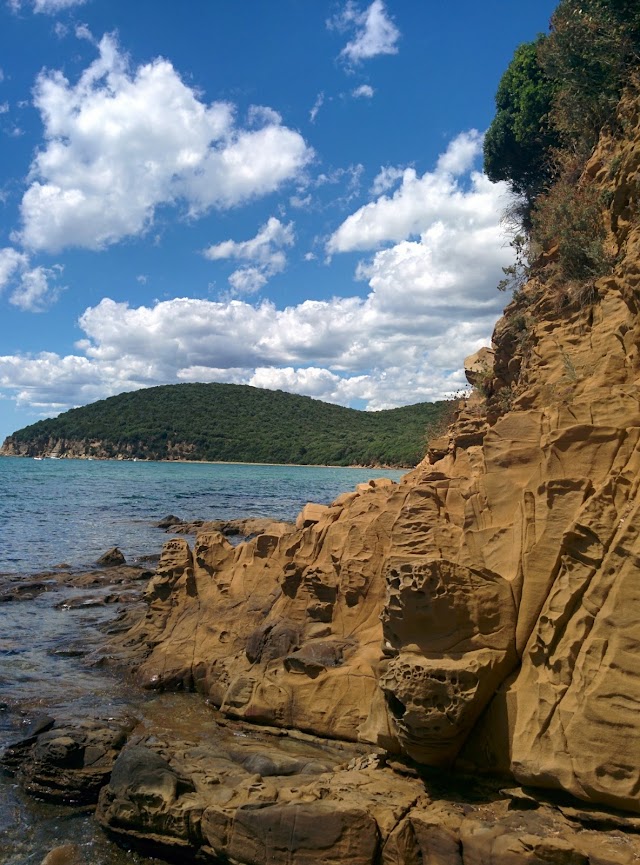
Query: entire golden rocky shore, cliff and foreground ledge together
(440, 671)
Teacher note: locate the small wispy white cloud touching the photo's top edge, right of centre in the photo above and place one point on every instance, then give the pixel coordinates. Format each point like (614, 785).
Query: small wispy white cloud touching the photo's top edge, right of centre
(374, 32)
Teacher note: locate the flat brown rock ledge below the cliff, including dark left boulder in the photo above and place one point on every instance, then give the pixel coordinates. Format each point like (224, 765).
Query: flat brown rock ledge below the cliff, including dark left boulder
(244, 795)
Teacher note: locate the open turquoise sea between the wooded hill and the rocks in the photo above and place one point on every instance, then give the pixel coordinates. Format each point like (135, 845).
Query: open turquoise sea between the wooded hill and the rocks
(54, 511)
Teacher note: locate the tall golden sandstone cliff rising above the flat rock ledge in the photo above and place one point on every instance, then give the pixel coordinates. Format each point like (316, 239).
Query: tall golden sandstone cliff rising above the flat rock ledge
(485, 610)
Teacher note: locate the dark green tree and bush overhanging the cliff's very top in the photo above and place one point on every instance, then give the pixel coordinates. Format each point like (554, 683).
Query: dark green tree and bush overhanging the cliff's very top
(559, 91)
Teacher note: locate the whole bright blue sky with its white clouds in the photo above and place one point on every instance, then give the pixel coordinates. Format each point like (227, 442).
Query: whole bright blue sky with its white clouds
(284, 194)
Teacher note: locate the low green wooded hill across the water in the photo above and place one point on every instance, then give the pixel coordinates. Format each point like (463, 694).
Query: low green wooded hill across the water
(230, 422)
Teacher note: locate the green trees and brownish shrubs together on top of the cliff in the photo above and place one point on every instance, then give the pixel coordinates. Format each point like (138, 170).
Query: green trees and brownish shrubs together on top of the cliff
(558, 93)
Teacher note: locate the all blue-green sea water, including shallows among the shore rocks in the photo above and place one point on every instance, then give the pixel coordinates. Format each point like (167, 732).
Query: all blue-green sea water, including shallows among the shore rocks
(71, 511)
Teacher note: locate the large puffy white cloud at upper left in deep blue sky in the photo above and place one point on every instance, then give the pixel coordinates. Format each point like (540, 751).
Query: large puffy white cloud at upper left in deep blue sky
(119, 142)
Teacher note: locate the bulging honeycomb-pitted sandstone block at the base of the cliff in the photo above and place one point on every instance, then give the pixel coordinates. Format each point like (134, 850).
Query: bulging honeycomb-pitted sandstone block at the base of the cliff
(450, 632)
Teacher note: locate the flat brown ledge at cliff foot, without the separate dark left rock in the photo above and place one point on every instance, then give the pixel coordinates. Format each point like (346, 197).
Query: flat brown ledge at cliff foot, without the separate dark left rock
(254, 805)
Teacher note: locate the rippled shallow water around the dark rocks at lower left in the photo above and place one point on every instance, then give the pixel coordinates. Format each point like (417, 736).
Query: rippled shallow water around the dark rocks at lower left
(42, 671)
